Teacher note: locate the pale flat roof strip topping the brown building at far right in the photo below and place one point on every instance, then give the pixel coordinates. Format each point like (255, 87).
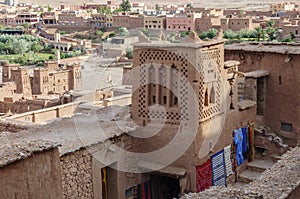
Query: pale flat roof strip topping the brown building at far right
(271, 47)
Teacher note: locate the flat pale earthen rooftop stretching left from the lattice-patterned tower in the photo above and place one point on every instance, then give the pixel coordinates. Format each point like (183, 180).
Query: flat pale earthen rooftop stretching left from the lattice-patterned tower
(83, 130)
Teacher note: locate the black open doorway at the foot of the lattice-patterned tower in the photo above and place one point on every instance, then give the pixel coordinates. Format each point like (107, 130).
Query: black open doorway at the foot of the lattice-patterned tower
(165, 187)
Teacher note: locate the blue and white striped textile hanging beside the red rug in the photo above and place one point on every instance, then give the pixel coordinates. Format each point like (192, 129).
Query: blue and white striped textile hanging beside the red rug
(218, 169)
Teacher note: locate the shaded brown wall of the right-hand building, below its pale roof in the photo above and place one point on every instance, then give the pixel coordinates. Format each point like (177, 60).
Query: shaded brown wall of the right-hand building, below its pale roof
(282, 87)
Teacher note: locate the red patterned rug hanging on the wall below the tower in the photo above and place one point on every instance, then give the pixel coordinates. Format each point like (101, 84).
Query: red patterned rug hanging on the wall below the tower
(203, 174)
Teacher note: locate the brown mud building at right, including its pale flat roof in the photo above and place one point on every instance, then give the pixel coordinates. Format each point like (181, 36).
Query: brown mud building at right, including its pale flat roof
(279, 92)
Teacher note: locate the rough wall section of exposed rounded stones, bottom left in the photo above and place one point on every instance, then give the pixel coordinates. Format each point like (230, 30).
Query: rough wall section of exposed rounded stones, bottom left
(76, 170)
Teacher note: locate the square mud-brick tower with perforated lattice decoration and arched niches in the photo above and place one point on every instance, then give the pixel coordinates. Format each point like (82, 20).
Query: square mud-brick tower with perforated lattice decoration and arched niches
(186, 88)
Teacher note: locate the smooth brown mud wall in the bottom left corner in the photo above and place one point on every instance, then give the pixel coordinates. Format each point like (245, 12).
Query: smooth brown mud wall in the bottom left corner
(39, 176)
